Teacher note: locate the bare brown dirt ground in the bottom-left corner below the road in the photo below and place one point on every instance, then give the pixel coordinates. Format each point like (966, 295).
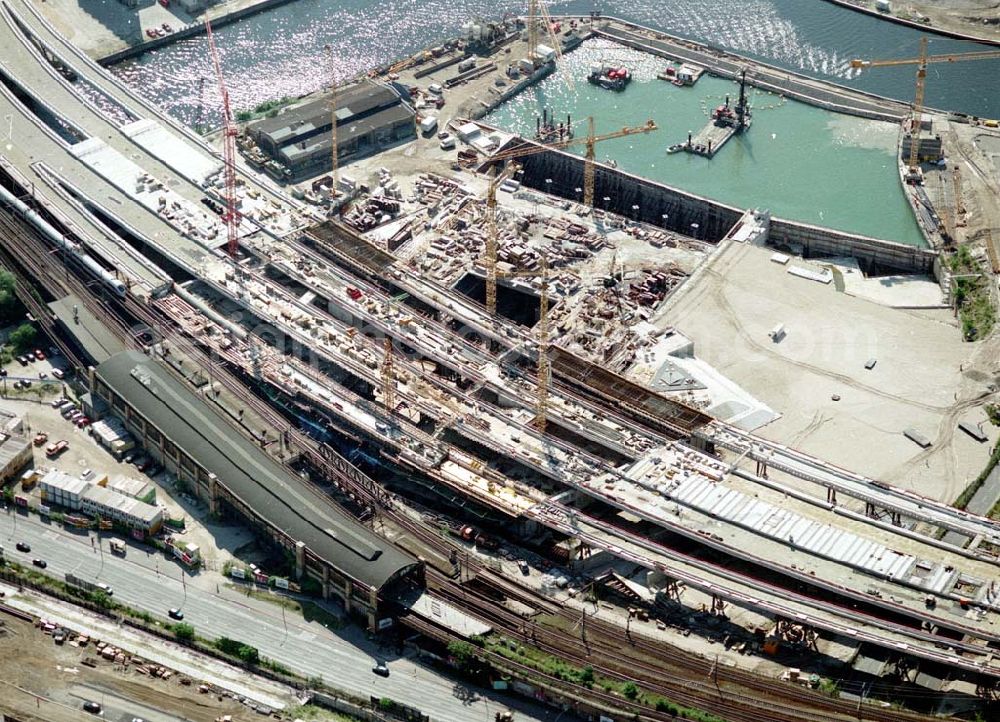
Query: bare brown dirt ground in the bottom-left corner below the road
(47, 682)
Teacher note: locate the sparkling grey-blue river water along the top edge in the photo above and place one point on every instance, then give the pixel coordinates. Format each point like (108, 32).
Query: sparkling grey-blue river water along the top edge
(281, 52)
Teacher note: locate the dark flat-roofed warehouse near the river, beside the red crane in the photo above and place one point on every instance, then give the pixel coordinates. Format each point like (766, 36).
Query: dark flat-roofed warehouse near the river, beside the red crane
(370, 117)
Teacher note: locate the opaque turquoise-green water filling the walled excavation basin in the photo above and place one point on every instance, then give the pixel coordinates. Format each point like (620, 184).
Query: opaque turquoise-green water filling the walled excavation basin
(800, 162)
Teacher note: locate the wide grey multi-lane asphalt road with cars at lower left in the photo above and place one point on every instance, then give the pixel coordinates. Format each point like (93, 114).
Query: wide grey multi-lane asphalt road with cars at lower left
(344, 658)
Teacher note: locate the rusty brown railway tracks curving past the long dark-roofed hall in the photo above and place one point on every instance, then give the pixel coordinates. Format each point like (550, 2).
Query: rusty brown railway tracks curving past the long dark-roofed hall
(680, 676)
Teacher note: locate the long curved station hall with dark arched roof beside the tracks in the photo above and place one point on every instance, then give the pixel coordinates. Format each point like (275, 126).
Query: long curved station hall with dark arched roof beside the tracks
(235, 477)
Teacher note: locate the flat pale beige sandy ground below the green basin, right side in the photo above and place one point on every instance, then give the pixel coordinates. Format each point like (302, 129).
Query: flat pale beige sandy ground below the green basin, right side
(925, 378)
